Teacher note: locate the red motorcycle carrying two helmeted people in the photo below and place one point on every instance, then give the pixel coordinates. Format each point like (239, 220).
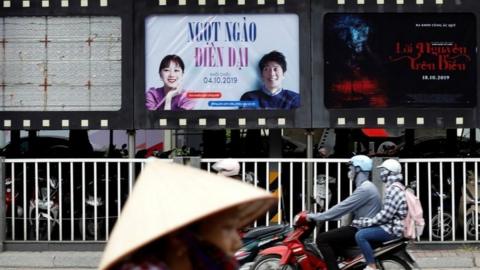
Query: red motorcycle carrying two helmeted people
(296, 252)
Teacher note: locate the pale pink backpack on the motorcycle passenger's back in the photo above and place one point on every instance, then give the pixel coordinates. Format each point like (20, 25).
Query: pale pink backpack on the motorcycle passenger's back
(414, 222)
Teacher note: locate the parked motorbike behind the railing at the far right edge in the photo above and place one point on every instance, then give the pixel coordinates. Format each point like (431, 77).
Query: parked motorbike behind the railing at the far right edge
(471, 204)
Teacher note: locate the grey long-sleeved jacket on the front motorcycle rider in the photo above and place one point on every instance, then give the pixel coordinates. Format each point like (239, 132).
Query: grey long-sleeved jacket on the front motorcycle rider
(365, 201)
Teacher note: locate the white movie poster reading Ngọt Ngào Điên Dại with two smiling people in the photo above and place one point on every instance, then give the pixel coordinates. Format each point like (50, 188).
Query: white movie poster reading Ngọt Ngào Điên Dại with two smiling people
(211, 62)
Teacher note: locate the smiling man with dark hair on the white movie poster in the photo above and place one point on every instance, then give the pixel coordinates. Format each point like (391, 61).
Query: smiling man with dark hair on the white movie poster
(273, 67)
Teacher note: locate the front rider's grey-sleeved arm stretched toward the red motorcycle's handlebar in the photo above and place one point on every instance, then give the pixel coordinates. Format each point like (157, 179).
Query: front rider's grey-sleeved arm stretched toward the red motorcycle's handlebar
(350, 204)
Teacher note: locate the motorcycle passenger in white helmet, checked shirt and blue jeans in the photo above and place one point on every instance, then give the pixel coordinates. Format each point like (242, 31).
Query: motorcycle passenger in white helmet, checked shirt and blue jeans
(388, 223)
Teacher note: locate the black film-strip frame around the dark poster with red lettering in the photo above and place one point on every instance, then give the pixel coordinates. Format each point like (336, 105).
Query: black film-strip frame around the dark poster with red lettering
(396, 116)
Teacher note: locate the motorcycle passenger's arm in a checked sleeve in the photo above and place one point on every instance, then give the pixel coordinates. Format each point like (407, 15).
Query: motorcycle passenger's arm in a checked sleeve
(393, 200)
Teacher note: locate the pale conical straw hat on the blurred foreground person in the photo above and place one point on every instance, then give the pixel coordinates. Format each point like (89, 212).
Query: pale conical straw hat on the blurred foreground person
(168, 196)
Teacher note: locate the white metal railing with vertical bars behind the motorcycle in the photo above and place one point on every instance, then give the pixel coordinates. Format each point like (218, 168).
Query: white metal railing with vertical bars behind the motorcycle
(76, 200)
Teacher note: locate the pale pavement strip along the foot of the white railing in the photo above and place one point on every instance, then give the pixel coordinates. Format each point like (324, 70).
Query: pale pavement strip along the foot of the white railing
(428, 258)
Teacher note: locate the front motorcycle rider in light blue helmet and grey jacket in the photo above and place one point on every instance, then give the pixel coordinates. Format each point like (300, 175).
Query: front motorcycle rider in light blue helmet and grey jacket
(365, 201)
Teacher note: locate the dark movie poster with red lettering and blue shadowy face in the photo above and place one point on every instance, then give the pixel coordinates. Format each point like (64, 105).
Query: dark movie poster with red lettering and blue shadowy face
(384, 60)
